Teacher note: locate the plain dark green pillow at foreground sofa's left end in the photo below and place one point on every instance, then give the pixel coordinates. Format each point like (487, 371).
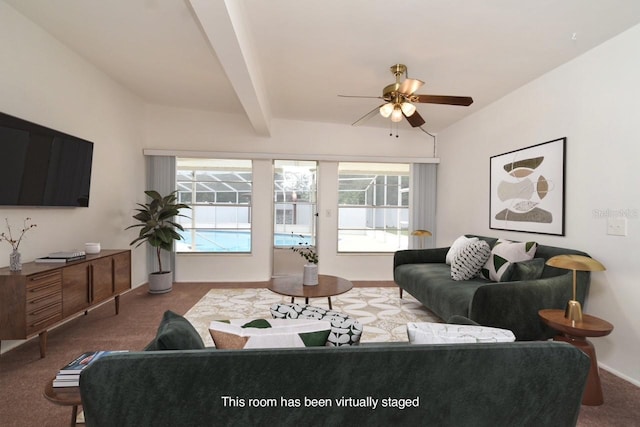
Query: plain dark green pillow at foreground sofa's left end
(175, 333)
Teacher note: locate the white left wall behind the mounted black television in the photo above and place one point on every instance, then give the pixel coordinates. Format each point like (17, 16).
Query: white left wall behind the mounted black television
(44, 82)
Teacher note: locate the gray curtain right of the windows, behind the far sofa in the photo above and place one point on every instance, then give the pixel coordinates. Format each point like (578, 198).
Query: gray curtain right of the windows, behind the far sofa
(423, 203)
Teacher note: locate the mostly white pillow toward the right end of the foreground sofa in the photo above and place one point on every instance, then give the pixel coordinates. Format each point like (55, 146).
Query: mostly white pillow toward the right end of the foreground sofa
(443, 333)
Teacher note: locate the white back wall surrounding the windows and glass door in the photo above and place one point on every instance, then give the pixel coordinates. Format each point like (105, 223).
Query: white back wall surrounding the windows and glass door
(179, 129)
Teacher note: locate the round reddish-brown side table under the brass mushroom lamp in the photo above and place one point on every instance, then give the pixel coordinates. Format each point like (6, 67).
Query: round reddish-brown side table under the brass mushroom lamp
(576, 334)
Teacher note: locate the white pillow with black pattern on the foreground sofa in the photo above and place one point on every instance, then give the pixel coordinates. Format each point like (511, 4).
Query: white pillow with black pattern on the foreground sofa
(345, 330)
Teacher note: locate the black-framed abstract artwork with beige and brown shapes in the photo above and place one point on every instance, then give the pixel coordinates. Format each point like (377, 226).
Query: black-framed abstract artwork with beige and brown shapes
(527, 189)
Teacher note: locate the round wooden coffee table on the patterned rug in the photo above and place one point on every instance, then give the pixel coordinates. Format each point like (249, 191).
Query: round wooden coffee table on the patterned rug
(327, 286)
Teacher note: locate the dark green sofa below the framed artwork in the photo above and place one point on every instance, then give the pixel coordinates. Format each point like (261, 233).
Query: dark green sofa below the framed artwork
(508, 305)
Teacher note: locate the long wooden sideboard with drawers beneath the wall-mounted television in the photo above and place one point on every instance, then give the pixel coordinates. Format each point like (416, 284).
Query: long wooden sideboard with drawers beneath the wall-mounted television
(42, 295)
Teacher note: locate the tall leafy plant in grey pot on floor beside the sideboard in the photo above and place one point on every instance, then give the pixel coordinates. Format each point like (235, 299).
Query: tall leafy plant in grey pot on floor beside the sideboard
(157, 228)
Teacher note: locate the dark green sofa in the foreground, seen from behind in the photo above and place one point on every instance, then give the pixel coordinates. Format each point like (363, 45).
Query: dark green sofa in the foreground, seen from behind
(499, 384)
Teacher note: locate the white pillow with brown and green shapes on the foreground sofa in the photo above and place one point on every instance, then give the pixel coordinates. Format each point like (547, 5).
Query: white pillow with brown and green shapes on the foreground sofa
(272, 333)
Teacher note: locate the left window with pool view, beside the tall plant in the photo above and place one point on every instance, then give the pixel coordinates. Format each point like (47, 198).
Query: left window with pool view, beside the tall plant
(219, 193)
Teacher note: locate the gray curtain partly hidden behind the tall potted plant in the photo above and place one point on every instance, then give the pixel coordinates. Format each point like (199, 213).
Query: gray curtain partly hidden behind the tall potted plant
(161, 177)
